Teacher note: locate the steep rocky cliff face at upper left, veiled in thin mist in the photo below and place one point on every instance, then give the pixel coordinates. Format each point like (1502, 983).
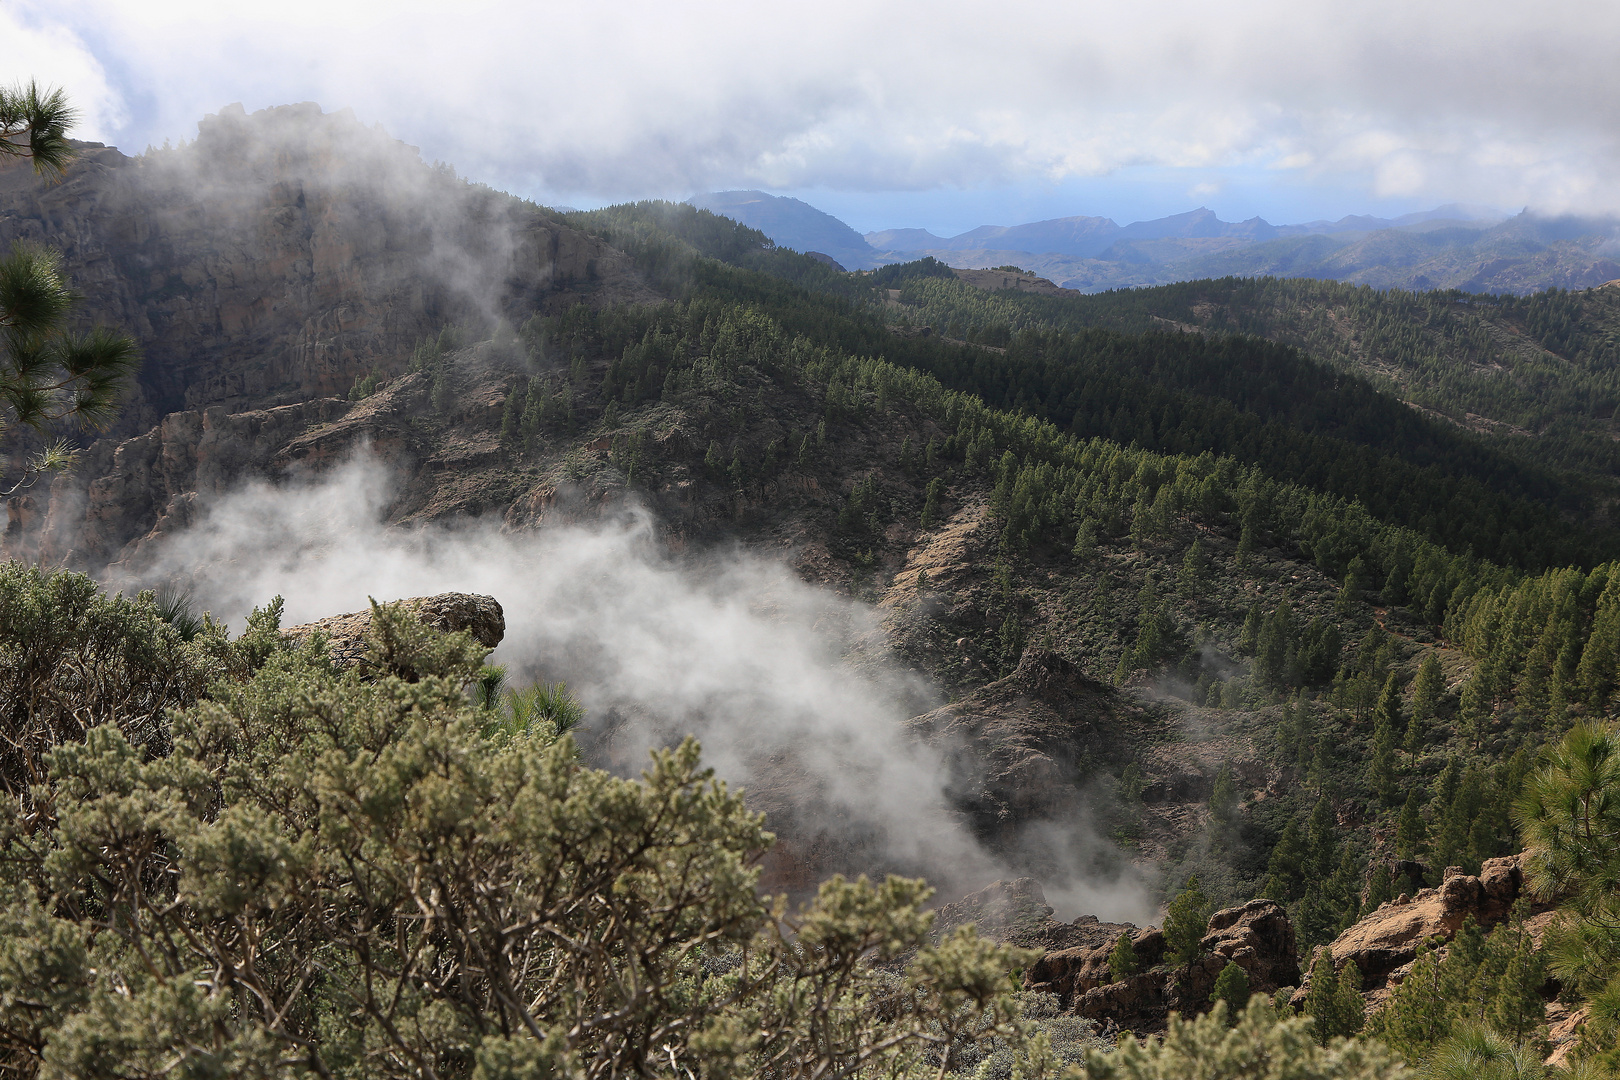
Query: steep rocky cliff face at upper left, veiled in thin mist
(288, 252)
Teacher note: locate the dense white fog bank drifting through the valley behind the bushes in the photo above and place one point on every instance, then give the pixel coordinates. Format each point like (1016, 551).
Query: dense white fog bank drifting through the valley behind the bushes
(730, 647)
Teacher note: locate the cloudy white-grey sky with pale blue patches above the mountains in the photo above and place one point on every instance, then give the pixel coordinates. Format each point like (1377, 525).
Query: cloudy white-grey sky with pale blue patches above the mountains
(942, 114)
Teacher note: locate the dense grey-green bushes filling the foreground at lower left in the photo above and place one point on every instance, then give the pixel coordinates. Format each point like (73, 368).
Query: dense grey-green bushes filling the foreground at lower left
(315, 874)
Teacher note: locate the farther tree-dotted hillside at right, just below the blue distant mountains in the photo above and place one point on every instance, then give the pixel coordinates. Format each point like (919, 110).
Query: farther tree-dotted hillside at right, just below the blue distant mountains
(1537, 373)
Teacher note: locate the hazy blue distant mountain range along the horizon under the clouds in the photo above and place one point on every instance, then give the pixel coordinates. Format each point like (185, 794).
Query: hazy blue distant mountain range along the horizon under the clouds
(1451, 247)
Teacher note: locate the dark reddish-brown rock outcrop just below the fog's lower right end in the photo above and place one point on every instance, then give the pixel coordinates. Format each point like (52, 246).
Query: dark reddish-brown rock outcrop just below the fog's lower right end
(1256, 937)
